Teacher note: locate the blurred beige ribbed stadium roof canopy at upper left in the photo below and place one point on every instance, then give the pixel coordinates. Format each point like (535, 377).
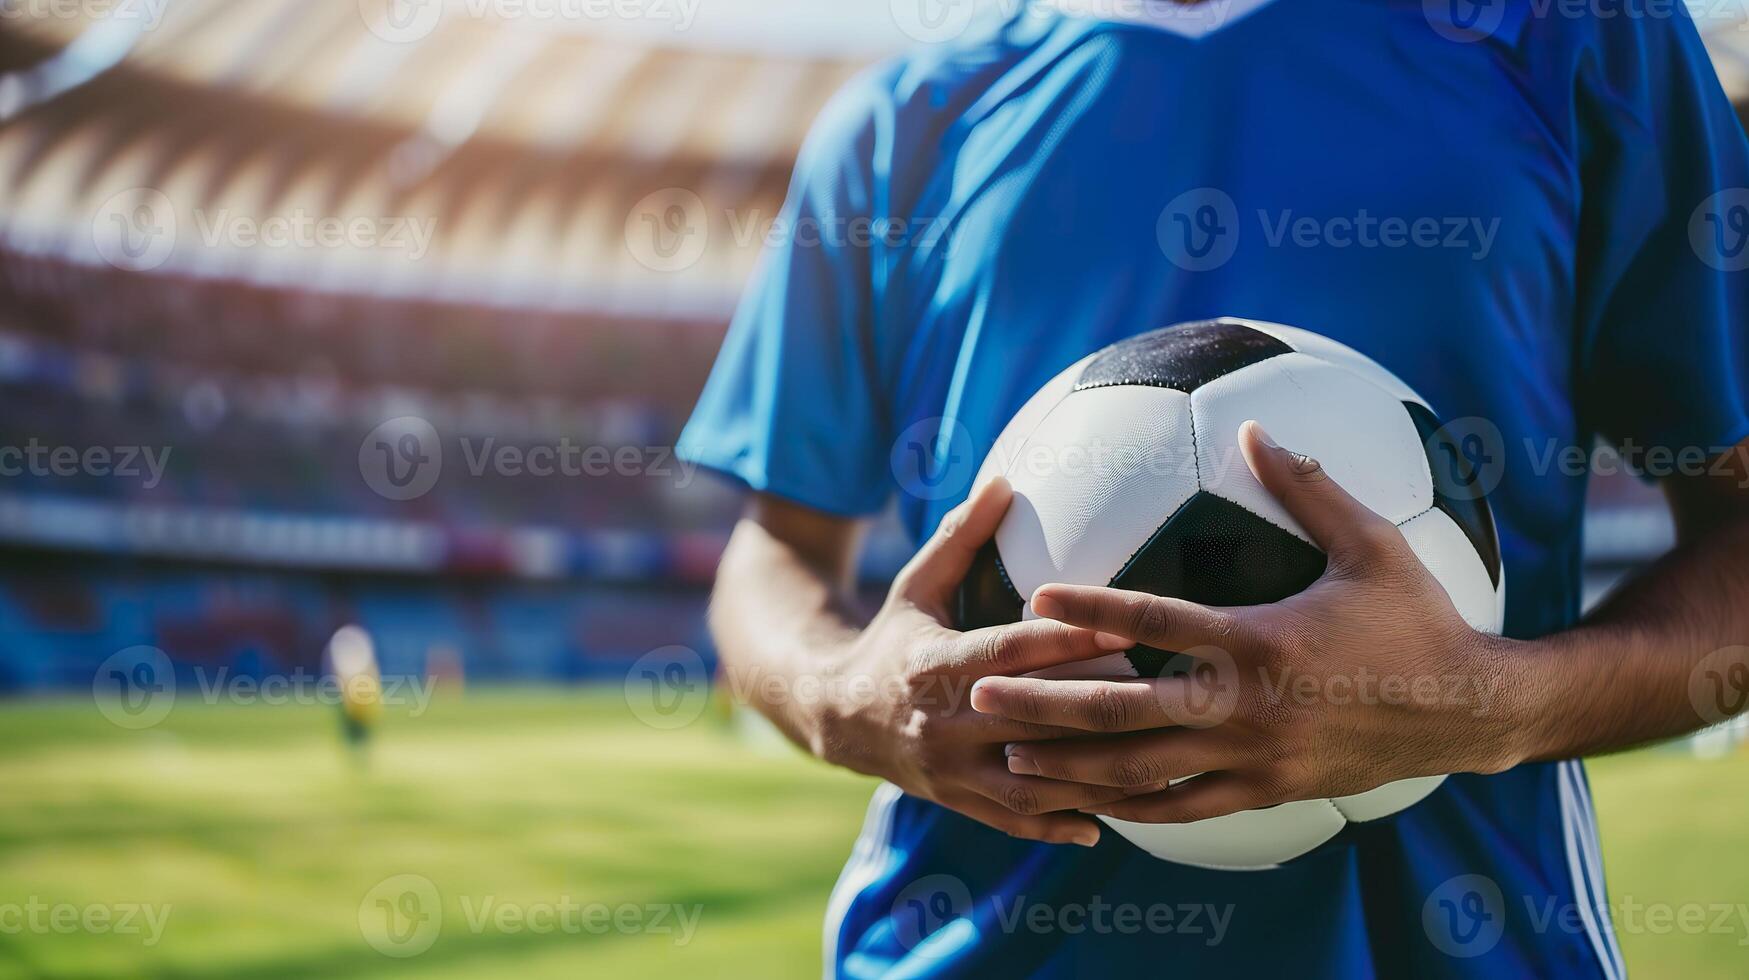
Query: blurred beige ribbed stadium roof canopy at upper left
(522, 146)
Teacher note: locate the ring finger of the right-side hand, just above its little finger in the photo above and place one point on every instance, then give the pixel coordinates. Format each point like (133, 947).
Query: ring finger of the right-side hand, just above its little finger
(1145, 762)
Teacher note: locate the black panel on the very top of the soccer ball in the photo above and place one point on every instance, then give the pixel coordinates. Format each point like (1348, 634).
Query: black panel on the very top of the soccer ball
(1181, 358)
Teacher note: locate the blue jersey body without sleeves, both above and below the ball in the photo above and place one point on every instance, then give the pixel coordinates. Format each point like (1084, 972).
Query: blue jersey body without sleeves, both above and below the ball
(1328, 165)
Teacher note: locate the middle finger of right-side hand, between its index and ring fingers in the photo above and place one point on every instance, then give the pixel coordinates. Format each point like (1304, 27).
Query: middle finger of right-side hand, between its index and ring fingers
(1089, 706)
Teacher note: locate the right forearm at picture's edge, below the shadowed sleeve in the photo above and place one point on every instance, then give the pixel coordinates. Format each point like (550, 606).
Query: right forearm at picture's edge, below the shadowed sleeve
(1627, 675)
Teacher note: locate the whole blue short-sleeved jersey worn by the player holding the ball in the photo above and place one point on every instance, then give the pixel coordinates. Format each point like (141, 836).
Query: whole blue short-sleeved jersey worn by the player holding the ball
(1535, 218)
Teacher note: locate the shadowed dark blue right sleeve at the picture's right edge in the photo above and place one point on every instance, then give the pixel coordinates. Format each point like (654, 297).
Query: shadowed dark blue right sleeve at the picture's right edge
(1664, 262)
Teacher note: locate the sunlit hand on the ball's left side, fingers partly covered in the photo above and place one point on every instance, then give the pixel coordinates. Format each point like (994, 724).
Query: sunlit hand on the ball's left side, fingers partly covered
(916, 725)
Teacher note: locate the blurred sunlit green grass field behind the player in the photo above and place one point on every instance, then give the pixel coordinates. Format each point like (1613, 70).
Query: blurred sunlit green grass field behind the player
(265, 843)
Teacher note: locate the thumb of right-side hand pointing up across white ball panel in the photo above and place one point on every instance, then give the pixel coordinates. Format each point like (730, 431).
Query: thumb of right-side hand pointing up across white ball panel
(1337, 522)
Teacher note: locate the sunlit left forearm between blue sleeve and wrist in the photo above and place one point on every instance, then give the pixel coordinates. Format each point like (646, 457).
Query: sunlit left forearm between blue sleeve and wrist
(781, 619)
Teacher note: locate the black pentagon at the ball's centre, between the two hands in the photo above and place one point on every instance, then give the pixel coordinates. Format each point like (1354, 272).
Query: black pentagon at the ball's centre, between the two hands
(1218, 554)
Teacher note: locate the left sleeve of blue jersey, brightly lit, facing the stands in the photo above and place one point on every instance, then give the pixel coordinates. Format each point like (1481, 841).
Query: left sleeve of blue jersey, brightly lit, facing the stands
(793, 405)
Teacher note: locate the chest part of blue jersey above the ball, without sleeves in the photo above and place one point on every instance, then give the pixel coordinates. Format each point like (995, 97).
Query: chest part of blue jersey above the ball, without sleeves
(1402, 197)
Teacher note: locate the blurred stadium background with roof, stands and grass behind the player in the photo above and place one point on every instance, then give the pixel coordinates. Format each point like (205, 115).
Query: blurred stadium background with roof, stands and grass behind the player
(389, 316)
